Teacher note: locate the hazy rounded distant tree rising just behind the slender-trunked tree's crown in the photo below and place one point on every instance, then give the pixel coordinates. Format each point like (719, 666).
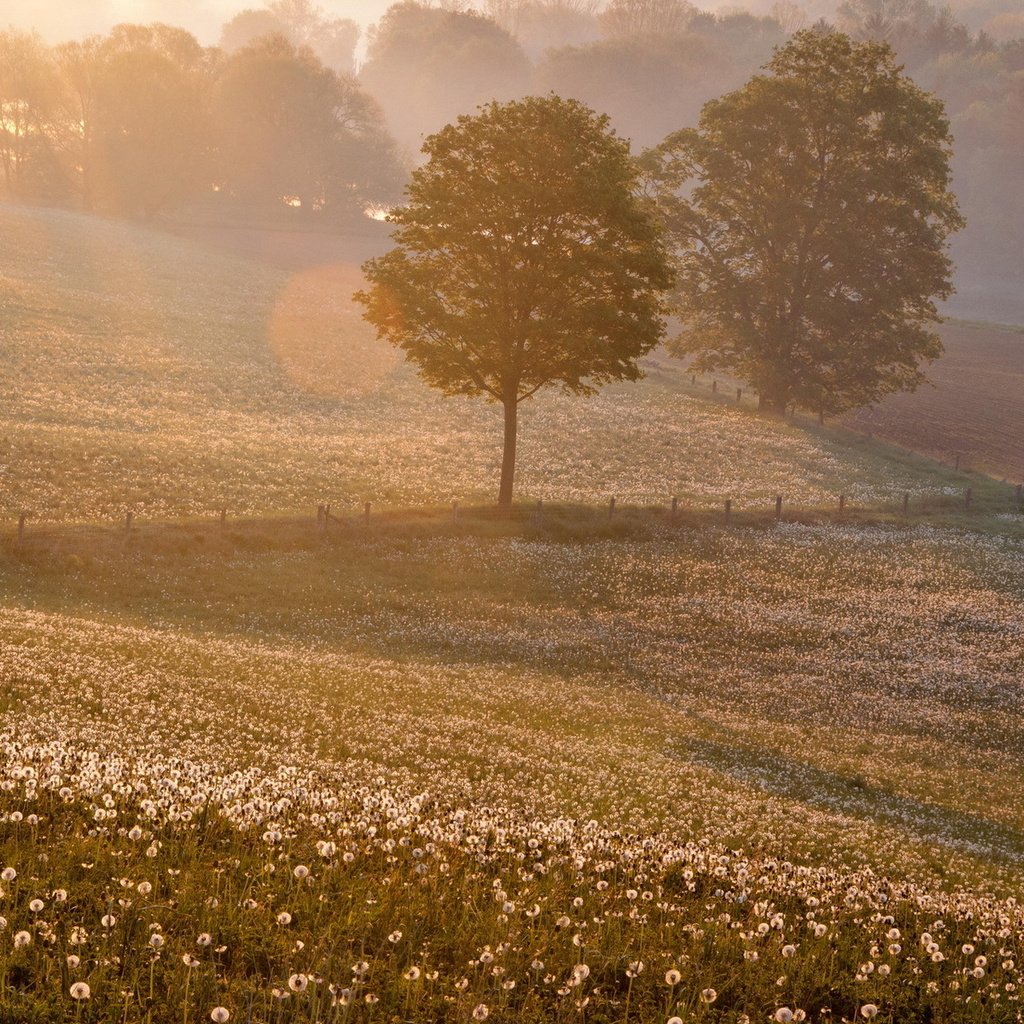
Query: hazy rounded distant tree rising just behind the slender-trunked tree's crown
(426, 66)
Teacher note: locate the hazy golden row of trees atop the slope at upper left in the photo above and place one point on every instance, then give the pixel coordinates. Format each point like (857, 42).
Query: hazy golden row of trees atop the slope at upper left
(146, 119)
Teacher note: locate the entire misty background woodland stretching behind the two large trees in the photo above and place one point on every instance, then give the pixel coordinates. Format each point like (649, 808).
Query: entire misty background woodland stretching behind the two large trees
(280, 122)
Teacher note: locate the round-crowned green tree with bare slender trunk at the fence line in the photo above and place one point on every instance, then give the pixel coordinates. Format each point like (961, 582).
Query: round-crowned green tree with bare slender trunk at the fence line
(525, 259)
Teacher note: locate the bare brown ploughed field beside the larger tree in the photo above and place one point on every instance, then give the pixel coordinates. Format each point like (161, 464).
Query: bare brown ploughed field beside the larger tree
(974, 410)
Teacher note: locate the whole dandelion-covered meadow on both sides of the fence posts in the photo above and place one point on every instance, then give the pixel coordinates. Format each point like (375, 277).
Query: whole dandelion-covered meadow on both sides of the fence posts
(437, 770)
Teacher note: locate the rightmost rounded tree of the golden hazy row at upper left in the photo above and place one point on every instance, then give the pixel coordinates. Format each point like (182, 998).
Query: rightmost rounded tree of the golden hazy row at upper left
(288, 126)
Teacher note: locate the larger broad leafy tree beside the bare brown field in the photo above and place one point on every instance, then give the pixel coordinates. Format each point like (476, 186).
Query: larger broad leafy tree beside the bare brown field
(814, 243)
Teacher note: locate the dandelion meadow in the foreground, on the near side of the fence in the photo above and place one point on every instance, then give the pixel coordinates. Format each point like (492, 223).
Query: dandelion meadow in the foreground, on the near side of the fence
(714, 776)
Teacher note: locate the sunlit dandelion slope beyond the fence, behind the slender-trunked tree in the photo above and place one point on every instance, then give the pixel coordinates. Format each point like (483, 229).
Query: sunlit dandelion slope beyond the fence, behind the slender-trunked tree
(143, 372)
